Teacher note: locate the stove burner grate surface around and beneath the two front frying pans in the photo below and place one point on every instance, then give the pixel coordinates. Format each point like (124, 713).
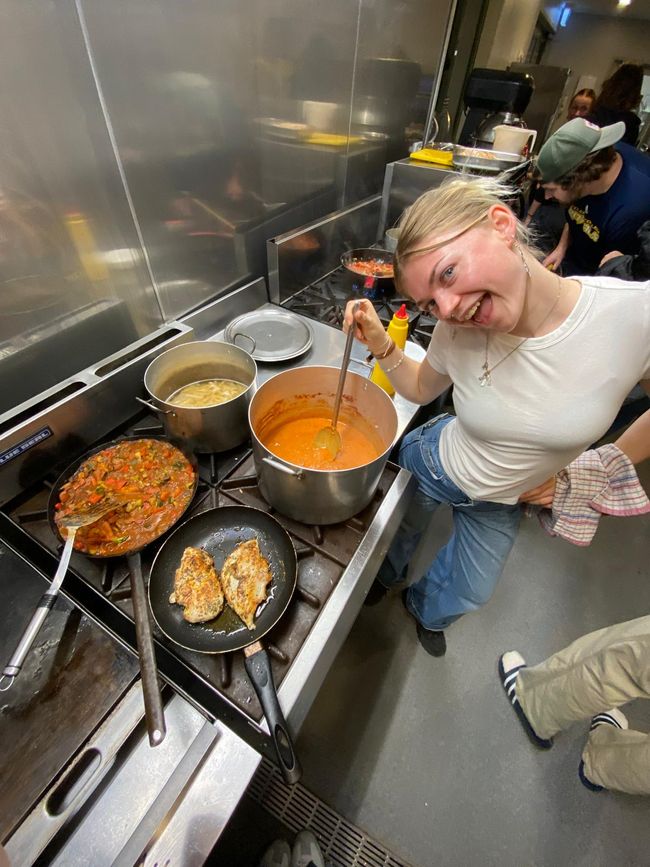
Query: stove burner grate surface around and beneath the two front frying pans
(216, 684)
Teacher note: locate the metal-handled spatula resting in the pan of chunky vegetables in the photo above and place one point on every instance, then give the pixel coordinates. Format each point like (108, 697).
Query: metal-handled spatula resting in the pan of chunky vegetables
(72, 523)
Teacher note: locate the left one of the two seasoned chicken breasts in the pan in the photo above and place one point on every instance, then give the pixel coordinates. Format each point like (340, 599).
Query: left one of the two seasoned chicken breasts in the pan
(197, 587)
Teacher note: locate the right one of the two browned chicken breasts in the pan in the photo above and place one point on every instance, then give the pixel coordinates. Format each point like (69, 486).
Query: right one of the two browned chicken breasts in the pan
(244, 578)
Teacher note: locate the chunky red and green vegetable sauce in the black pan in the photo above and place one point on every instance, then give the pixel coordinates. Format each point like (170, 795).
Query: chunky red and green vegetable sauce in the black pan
(151, 481)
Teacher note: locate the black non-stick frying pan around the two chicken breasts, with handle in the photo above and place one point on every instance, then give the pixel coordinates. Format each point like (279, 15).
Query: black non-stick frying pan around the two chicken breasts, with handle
(218, 531)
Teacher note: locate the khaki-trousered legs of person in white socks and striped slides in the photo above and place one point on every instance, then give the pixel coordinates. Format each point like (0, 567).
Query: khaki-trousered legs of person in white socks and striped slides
(590, 678)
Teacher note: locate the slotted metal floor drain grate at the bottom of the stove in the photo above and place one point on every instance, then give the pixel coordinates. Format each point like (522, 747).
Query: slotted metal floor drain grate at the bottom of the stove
(343, 844)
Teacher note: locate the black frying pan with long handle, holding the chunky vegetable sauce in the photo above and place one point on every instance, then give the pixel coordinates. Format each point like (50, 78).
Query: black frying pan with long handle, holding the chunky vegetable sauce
(150, 687)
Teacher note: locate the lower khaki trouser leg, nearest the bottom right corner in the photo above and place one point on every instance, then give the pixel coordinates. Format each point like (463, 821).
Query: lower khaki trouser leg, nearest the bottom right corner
(618, 760)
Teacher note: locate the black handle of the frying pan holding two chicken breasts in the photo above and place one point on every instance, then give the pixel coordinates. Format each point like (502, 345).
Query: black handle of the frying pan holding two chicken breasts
(258, 666)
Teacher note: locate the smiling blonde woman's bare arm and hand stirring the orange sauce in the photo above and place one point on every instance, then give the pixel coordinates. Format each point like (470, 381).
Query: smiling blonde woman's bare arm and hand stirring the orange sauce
(414, 380)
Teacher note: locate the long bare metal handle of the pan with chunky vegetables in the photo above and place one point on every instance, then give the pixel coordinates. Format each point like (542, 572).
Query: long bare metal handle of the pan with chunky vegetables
(153, 708)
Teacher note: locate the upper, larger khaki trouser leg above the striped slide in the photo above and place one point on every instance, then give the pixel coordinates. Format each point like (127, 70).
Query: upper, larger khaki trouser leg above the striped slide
(599, 671)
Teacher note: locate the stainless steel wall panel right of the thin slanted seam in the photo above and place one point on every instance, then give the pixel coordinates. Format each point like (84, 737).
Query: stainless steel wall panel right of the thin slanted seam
(193, 94)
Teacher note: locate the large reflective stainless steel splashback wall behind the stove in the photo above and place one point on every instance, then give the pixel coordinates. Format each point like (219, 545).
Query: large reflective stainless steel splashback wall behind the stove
(149, 149)
